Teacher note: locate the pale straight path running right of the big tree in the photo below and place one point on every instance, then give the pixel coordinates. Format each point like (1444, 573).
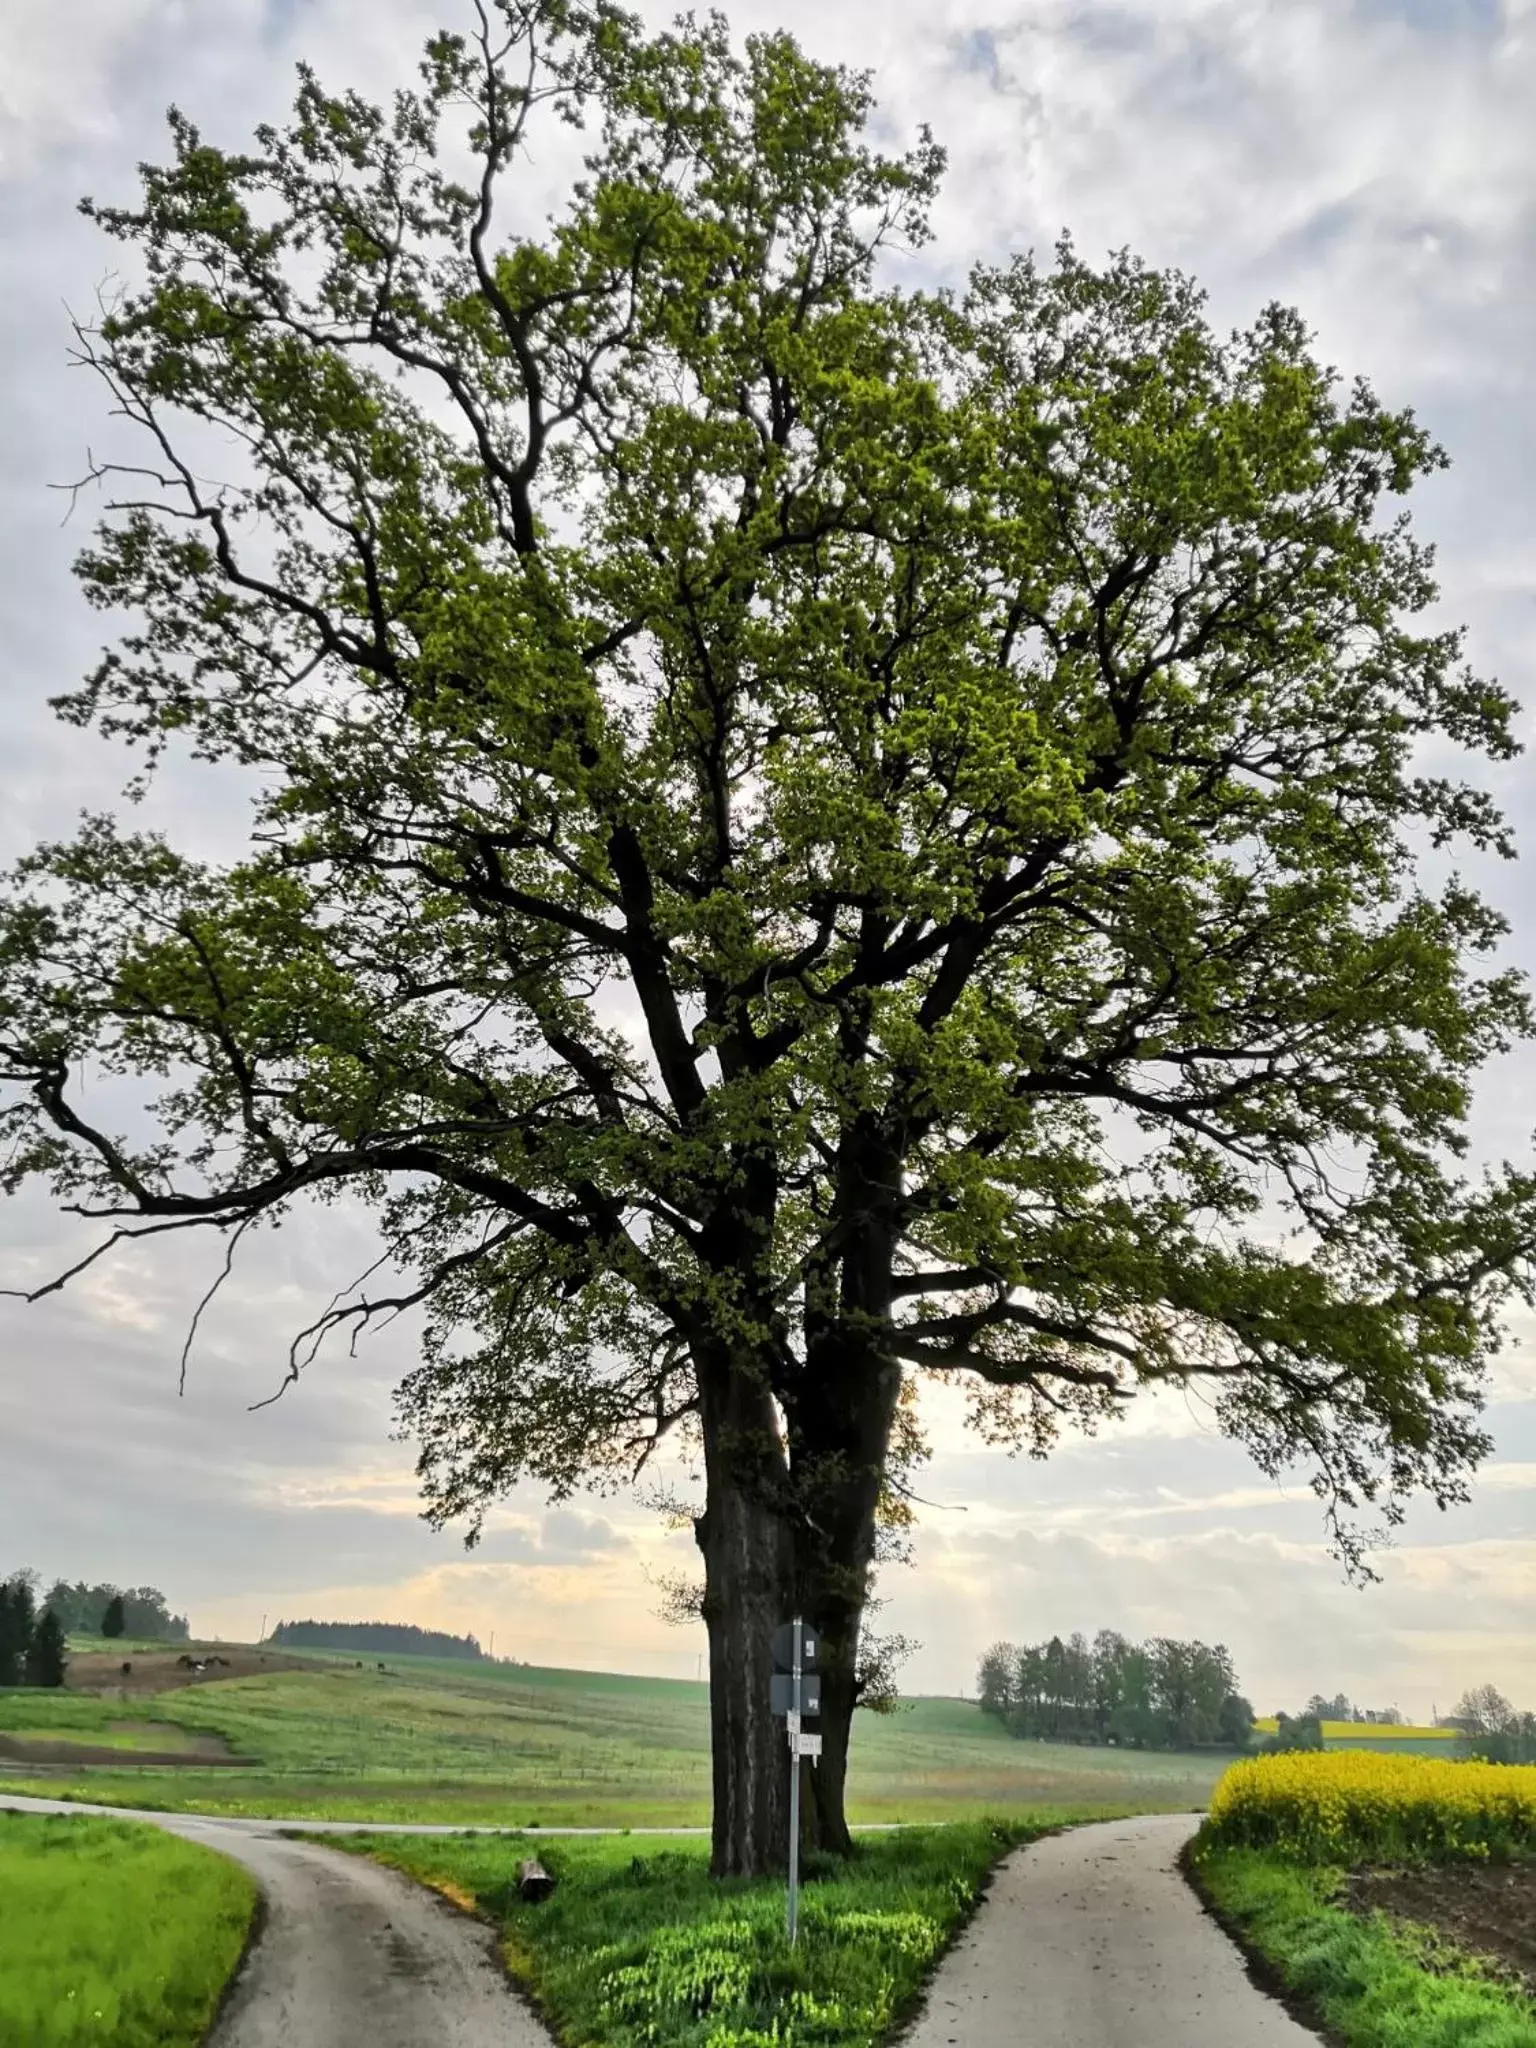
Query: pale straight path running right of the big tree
(1095, 1940)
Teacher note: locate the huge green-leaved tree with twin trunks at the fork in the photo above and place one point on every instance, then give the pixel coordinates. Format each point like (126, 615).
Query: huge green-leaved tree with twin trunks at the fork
(810, 835)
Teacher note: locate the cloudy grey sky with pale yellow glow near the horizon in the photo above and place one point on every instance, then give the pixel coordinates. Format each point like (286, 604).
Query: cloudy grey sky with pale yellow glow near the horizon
(1371, 163)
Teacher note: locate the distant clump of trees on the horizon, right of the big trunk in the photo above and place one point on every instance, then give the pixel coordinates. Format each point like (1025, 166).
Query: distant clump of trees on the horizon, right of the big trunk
(1160, 1695)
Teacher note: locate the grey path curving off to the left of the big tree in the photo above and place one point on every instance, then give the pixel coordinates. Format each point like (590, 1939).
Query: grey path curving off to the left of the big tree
(351, 1955)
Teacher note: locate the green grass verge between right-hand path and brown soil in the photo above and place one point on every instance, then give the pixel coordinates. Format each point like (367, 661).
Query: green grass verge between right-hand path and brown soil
(1369, 1981)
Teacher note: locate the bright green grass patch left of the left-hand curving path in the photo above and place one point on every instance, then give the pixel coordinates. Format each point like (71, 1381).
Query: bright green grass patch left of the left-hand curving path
(114, 1934)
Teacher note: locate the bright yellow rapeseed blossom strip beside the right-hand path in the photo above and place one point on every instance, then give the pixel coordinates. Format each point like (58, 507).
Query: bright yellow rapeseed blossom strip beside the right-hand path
(1367, 1805)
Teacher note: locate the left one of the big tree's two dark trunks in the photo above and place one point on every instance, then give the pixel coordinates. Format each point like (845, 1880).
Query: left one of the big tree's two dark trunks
(749, 1547)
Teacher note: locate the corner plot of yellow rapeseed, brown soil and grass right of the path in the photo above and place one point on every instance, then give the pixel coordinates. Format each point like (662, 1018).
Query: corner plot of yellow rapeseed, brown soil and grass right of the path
(1394, 1895)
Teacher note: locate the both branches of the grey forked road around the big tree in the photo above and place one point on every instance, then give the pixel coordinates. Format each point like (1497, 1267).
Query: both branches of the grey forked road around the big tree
(1086, 1940)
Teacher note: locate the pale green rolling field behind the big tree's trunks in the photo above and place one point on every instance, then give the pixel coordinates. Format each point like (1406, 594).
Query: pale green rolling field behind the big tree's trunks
(515, 1746)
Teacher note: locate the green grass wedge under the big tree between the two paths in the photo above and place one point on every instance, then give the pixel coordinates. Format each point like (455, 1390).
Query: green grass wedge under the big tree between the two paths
(640, 1949)
